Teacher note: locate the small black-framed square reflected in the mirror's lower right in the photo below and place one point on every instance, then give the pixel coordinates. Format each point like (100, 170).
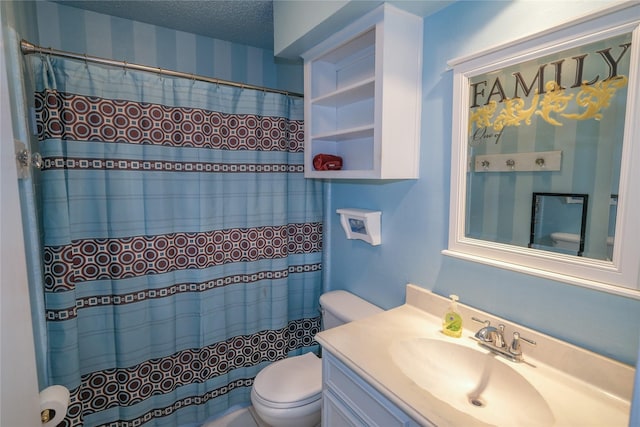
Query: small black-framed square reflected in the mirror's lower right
(558, 222)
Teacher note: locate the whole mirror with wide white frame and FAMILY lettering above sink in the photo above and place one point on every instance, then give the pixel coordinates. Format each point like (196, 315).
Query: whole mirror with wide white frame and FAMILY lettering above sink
(543, 150)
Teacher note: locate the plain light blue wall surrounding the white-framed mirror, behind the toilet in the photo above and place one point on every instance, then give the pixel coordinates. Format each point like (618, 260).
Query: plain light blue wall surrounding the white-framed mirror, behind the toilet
(415, 213)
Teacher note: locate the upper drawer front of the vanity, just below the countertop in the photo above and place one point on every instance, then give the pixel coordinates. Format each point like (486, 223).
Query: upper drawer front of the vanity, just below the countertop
(362, 399)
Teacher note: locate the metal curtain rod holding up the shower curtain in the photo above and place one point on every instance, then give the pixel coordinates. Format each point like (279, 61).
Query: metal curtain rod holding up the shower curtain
(29, 48)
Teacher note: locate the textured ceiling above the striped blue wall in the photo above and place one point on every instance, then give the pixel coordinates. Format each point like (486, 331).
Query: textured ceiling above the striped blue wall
(240, 21)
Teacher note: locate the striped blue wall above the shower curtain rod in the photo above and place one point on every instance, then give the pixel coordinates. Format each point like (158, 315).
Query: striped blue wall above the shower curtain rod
(80, 31)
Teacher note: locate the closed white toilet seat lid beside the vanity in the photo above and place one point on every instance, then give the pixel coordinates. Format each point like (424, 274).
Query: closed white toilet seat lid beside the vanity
(289, 383)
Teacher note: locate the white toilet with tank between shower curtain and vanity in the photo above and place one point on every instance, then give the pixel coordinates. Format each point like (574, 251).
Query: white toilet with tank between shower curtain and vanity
(288, 393)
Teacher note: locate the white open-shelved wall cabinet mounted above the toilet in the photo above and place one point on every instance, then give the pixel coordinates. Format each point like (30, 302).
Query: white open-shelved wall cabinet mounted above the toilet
(363, 97)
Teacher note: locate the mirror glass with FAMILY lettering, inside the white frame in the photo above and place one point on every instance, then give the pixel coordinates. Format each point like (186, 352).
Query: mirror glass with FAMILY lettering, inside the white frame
(572, 101)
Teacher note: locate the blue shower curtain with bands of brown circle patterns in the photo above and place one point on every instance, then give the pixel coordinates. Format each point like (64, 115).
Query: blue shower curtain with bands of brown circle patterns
(182, 244)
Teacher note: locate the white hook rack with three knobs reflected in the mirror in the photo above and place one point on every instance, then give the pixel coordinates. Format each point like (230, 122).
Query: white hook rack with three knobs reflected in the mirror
(541, 161)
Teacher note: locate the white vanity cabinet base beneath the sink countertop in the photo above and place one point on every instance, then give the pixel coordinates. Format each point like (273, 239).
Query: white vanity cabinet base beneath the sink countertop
(347, 400)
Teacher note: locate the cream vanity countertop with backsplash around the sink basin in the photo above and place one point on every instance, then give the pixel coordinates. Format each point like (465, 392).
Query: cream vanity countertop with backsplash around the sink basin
(580, 387)
